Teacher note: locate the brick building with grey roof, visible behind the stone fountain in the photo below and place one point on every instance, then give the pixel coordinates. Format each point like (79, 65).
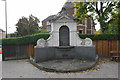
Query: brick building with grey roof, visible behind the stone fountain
(85, 26)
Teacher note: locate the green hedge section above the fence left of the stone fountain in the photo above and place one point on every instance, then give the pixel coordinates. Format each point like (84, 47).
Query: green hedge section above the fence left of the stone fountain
(30, 39)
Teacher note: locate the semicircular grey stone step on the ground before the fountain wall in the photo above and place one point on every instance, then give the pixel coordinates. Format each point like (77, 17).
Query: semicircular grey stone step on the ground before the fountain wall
(65, 65)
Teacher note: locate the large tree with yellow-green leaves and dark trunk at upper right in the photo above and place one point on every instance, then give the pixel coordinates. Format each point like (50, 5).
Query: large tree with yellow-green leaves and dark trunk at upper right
(99, 11)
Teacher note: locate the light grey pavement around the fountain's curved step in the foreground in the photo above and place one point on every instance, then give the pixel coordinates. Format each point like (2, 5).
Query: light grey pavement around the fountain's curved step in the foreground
(24, 69)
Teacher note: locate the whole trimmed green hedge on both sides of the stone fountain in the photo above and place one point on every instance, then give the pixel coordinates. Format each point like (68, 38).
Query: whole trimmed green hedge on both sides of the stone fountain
(32, 39)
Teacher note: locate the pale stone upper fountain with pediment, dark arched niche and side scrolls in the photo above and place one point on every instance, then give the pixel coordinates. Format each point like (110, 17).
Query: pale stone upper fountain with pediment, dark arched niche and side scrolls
(64, 31)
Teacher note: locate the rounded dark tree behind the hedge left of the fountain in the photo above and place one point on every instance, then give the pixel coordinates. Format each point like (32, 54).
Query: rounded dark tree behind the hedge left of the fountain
(27, 26)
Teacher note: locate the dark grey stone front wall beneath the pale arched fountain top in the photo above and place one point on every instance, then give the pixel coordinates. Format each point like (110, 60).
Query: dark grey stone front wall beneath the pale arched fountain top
(64, 52)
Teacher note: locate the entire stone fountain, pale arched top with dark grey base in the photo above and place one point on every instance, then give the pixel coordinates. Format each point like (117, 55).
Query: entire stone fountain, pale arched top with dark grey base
(64, 43)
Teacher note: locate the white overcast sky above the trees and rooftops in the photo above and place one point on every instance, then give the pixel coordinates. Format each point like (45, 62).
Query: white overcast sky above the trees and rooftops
(18, 8)
